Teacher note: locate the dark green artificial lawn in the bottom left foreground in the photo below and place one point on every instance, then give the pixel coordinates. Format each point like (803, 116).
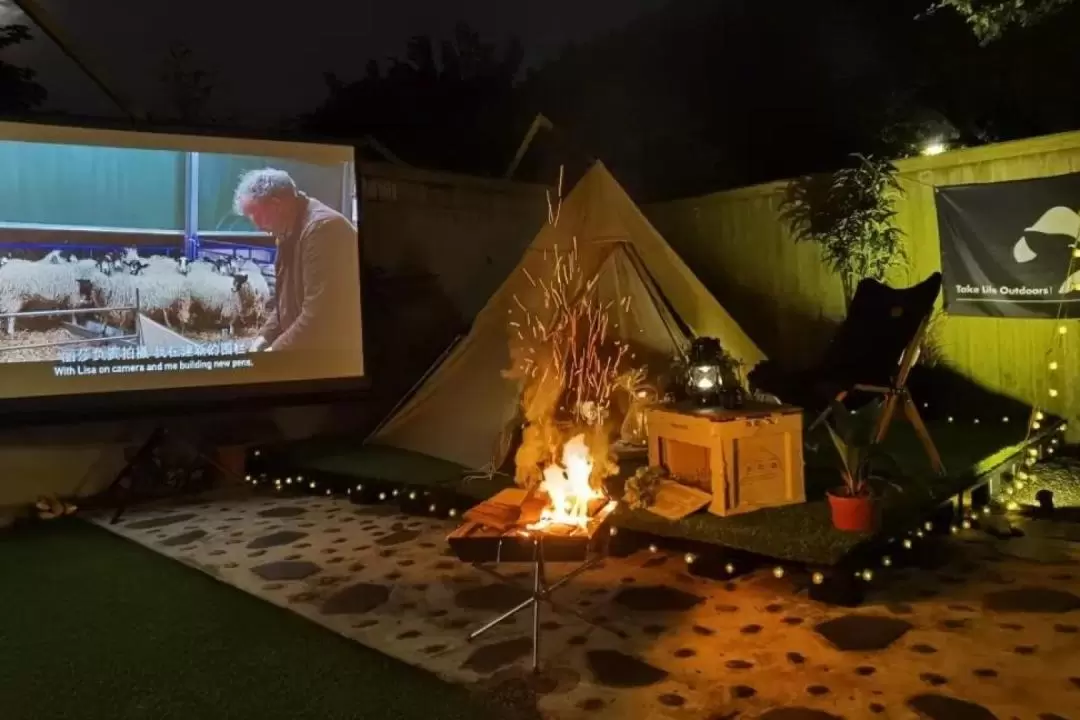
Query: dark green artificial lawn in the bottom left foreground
(98, 628)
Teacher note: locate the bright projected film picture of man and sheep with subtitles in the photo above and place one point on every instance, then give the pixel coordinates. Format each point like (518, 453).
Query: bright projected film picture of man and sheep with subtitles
(131, 262)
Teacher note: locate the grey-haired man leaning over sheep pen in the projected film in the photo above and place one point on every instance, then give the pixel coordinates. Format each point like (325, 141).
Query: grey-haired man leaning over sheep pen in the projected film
(316, 268)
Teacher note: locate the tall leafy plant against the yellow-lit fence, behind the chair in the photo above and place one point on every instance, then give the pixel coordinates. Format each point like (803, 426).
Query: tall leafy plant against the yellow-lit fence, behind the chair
(849, 215)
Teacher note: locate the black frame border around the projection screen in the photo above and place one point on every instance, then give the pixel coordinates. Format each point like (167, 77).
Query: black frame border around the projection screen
(84, 407)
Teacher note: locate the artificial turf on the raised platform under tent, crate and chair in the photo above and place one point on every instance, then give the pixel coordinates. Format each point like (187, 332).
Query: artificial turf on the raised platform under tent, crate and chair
(799, 534)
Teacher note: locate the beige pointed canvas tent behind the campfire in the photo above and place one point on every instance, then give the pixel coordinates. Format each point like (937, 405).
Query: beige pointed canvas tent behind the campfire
(466, 410)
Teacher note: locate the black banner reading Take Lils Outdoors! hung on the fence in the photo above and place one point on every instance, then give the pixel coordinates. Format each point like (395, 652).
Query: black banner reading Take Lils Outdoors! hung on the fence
(1007, 248)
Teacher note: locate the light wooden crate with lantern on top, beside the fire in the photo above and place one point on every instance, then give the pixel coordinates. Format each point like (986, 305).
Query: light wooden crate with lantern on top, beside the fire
(748, 458)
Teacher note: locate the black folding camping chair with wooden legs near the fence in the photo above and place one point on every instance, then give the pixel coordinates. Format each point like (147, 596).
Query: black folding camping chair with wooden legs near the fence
(874, 352)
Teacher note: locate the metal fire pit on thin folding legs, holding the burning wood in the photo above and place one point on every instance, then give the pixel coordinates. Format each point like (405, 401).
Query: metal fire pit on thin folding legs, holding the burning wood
(479, 546)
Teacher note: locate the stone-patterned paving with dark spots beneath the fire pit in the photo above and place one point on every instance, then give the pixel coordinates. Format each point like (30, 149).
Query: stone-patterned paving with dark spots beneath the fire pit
(993, 632)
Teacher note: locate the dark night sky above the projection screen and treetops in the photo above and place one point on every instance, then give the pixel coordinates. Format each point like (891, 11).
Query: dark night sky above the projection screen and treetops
(271, 63)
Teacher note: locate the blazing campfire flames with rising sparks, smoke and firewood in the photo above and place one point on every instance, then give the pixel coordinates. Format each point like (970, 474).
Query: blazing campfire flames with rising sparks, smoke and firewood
(570, 362)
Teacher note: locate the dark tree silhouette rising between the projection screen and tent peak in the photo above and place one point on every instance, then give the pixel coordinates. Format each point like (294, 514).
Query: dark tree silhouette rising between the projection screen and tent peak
(453, 108)
